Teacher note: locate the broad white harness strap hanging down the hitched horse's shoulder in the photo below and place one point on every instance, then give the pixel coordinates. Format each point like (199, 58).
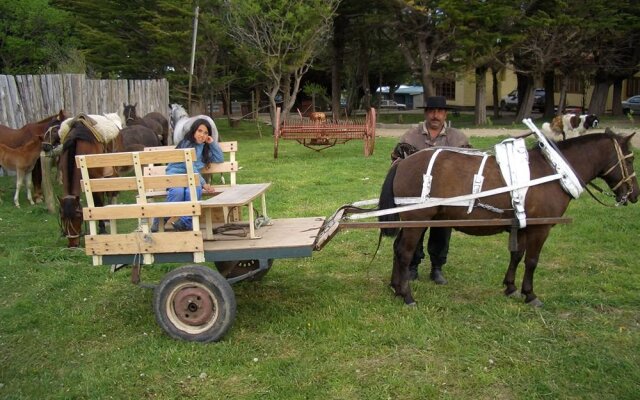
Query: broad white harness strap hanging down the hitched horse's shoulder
(513, 159)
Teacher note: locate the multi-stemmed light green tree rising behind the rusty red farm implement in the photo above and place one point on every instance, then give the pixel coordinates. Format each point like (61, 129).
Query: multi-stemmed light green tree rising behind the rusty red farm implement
(280, 38)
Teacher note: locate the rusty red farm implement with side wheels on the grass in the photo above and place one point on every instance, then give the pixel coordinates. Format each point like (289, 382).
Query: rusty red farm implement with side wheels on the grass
(322, 134)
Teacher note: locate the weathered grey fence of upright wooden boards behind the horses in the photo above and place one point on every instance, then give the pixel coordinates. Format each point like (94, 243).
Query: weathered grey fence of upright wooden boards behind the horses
(30, 98)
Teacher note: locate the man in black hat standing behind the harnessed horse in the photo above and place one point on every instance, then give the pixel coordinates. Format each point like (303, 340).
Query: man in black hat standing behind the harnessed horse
(434, 132)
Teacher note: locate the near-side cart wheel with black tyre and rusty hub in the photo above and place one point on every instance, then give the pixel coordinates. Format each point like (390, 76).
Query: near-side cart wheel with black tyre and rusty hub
(194, 303)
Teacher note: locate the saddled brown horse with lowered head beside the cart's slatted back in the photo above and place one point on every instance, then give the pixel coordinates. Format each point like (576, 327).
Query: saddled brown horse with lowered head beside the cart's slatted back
(80, 141)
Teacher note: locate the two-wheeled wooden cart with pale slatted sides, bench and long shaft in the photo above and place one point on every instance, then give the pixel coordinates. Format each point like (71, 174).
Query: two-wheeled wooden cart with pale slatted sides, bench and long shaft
(194, 302)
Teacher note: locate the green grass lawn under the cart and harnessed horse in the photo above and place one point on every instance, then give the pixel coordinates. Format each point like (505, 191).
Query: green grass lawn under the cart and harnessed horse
(327, 327)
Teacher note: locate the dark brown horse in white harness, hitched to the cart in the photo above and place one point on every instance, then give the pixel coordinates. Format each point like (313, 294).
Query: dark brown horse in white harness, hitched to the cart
(604, 155)
